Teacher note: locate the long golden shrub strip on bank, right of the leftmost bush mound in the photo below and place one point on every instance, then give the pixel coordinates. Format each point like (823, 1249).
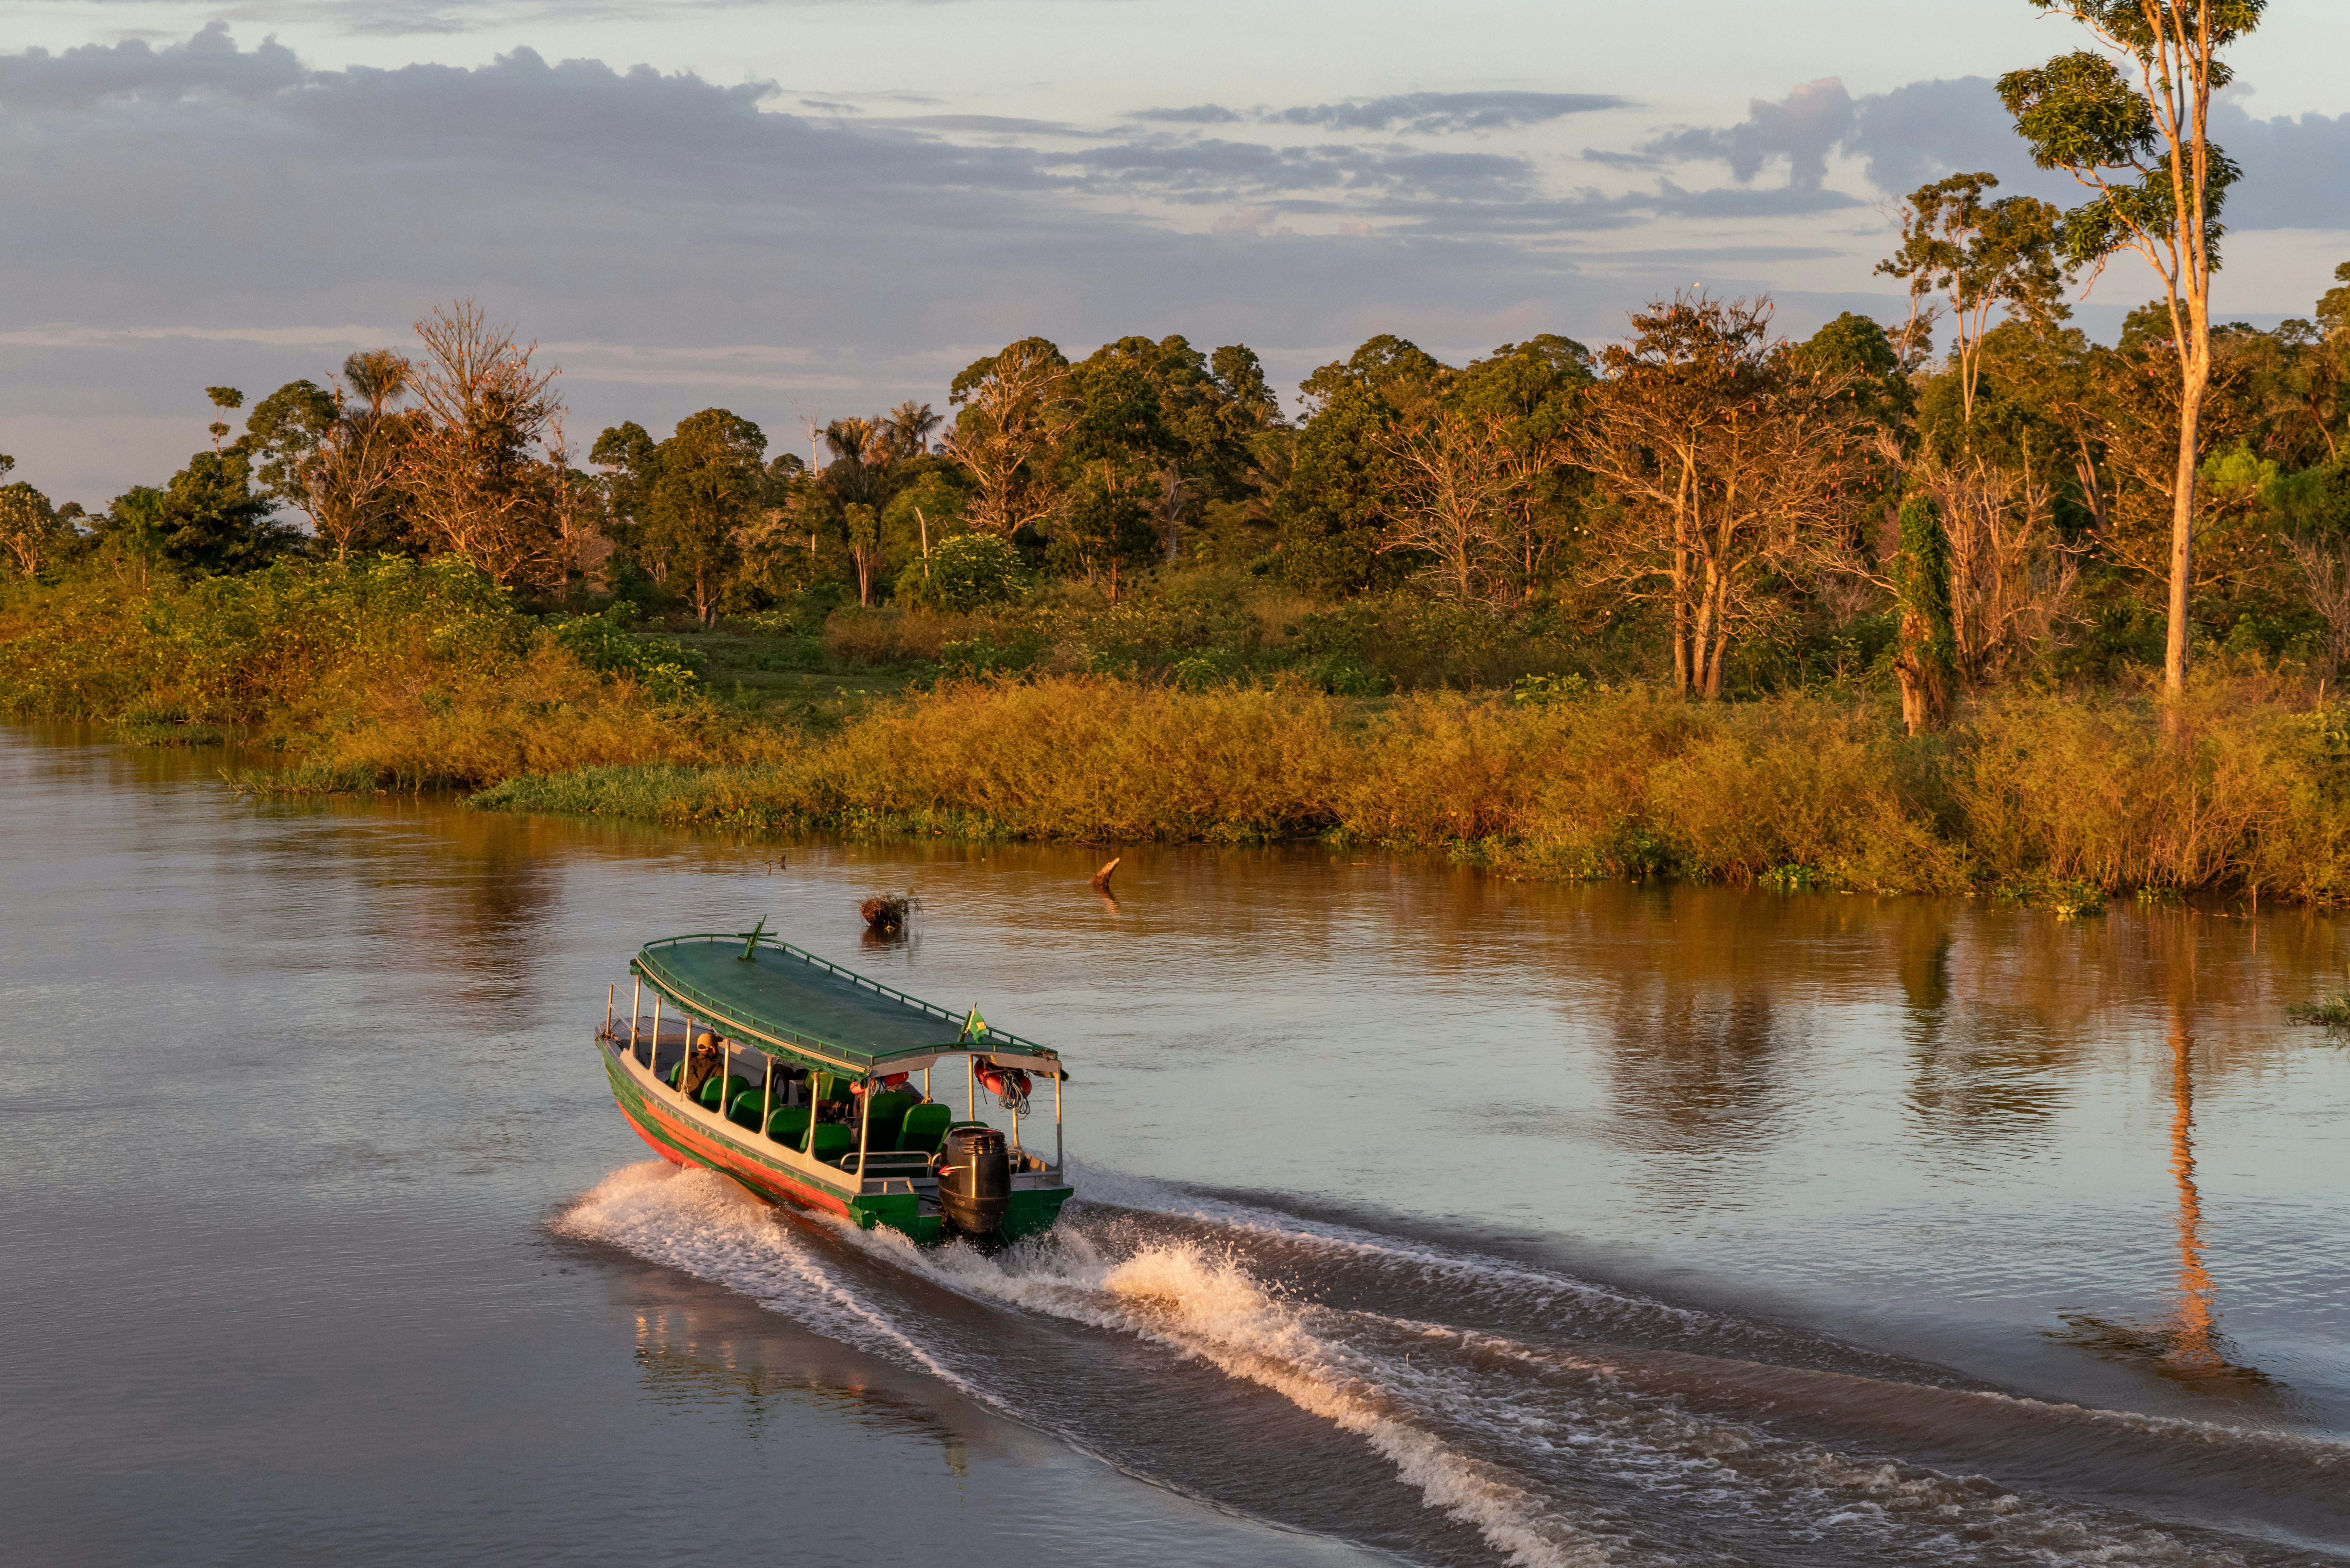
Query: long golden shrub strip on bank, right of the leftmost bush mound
(2025, 793)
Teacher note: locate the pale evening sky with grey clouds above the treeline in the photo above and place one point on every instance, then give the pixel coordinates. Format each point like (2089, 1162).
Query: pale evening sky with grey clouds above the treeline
(805, 210)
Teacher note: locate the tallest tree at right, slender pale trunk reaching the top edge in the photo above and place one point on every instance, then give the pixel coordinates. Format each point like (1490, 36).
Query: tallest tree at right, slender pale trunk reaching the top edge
(2133, 123)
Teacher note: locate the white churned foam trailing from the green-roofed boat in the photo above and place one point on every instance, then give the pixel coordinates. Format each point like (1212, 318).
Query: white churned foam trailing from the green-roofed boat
(1503, 1435)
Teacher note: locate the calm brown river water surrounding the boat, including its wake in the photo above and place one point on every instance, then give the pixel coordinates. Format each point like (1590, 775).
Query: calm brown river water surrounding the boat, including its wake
(1425, 1217)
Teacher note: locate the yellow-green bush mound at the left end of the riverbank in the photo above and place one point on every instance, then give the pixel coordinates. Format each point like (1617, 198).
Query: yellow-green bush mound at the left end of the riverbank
(370, 674)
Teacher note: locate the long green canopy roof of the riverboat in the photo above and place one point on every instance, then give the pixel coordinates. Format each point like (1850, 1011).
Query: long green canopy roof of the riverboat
(795, 1005)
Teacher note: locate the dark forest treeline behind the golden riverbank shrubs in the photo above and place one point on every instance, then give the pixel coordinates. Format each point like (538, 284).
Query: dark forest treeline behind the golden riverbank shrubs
(1705, 502)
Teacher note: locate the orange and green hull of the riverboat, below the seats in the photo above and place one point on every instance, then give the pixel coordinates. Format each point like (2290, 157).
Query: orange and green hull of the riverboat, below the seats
(694, 1137)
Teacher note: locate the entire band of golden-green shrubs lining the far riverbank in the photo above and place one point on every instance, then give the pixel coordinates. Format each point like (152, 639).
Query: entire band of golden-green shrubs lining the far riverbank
(412, 676)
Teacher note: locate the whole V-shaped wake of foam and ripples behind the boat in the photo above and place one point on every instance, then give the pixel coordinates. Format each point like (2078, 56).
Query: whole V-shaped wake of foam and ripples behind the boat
(1468, 1409)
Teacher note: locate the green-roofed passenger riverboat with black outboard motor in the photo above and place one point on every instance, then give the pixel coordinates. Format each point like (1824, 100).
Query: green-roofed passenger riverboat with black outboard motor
(814, 1087)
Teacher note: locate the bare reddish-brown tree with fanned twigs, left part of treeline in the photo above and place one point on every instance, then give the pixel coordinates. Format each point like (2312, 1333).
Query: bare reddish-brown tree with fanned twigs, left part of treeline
(474, 469)
